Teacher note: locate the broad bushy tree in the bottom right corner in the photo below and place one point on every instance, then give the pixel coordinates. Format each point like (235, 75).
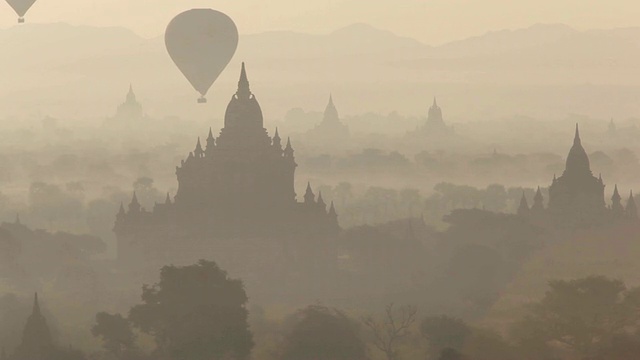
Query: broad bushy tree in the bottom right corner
(584, 315)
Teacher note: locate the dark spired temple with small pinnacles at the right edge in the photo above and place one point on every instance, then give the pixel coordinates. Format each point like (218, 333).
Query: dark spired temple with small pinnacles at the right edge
(577, 197)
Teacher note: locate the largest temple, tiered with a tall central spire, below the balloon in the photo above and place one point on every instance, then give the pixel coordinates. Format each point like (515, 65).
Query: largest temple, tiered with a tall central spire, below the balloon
(235, 196)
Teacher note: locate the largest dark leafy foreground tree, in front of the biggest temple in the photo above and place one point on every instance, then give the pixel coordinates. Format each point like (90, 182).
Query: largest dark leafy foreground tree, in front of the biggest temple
(195, 312)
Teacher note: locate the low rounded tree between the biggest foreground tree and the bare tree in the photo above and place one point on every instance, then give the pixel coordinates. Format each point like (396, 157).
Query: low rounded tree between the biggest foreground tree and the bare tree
(320, 333)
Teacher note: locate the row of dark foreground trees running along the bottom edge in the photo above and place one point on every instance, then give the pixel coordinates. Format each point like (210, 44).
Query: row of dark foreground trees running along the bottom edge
(594, 318)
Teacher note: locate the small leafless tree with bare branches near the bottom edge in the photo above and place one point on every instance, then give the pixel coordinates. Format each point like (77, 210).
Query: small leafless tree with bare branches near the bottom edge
(395, 326)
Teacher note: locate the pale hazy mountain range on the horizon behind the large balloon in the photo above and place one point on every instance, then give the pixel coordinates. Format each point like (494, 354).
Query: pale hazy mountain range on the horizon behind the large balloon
(50, 67)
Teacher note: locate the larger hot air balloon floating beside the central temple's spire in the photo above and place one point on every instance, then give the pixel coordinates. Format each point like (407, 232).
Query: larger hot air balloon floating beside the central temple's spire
(201, 42)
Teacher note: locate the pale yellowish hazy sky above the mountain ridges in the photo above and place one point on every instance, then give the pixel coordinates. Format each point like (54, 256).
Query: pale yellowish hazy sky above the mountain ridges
(430, 21)
